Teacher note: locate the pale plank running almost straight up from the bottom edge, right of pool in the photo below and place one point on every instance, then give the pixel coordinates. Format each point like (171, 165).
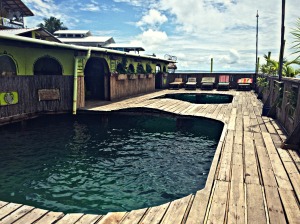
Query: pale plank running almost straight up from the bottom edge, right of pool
(236, 210)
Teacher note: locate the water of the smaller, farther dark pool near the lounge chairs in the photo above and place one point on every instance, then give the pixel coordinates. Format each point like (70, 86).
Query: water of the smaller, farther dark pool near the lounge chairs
(201, 98)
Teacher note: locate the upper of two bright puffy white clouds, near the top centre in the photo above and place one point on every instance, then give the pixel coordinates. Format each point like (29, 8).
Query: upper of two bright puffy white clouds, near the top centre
(153, 19)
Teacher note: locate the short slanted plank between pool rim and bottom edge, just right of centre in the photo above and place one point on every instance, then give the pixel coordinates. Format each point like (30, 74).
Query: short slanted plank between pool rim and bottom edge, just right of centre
(176, 211)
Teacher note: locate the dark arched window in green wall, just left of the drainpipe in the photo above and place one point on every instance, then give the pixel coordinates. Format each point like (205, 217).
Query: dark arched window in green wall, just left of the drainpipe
(47, 66)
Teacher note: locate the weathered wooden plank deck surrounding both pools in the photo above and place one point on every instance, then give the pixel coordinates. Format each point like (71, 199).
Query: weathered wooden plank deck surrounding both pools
(251, 180)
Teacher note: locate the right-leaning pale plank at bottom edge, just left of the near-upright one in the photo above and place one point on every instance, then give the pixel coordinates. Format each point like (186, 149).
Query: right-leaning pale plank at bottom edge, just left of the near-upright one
(217, 213)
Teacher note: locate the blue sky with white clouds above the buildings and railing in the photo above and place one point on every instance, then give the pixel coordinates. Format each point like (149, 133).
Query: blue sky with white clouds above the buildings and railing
(192, 30)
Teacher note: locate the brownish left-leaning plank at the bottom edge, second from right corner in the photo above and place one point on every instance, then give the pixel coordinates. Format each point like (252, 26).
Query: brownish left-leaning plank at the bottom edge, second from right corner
(274, 206)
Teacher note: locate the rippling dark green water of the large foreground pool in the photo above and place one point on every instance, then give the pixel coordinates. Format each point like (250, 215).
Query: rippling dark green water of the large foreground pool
(102, 163)
